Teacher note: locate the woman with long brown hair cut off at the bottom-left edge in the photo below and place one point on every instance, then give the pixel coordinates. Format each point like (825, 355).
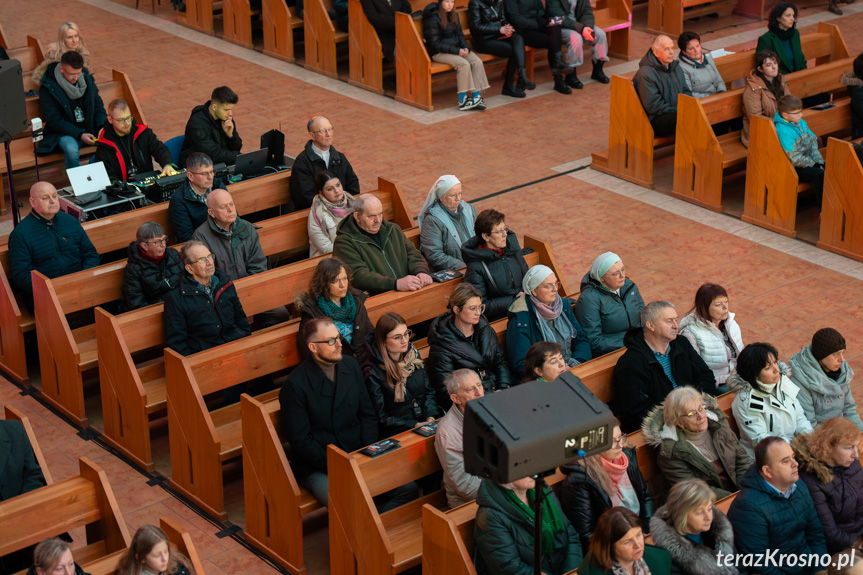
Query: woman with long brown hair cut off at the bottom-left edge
(150, 554)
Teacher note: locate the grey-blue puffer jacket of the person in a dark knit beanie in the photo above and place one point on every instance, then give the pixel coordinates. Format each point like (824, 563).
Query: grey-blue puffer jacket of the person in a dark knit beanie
(820, 396)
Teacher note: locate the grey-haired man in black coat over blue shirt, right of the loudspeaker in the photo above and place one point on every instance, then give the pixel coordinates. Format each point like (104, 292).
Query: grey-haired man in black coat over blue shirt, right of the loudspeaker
(655, 362)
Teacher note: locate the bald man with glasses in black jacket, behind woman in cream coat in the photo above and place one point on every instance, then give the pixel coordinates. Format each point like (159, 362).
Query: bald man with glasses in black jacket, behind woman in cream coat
(319, 155)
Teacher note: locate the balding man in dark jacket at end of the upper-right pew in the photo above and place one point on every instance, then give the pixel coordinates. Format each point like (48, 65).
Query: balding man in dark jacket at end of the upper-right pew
(658, 82)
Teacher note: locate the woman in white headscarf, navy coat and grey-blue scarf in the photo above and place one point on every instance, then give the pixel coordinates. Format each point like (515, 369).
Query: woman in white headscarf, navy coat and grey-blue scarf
(540, 314)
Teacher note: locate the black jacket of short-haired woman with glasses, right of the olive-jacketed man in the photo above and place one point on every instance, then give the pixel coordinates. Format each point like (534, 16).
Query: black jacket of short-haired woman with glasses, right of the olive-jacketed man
(503, 281)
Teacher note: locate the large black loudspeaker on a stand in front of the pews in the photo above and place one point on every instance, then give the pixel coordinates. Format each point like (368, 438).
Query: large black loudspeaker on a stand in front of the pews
(533, 428)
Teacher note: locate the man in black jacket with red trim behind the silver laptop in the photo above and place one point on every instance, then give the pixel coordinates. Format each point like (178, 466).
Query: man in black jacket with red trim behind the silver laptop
(128, 148)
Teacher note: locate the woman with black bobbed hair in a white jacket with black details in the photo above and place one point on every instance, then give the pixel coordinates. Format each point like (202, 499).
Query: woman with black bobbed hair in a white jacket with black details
(765, 400)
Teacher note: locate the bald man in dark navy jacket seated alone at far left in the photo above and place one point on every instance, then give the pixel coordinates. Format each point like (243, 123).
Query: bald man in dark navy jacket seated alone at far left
(49, 241)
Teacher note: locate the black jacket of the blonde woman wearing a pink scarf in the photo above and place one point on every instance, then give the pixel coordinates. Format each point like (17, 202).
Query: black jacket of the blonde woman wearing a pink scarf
(583, 500)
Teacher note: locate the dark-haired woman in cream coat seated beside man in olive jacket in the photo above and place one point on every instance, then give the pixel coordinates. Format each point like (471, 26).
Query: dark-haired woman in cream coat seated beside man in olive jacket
(330, 206)
